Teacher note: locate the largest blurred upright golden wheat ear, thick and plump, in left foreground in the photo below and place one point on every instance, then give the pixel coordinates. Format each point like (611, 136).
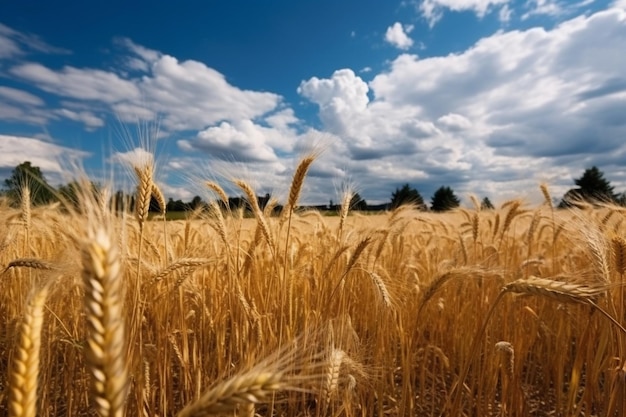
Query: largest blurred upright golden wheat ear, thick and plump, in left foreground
(105, 320)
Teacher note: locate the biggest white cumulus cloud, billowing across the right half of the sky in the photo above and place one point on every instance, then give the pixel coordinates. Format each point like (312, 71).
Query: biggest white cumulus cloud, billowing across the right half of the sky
(518, 102)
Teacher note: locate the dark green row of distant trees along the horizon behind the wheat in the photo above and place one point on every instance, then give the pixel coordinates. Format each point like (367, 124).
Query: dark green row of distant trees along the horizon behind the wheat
(591, 187)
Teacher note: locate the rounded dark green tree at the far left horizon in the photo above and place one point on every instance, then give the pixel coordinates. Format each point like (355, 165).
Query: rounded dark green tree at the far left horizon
(27, 175)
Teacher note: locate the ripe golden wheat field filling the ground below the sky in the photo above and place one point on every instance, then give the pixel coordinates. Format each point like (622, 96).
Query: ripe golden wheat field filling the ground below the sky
(517, 311)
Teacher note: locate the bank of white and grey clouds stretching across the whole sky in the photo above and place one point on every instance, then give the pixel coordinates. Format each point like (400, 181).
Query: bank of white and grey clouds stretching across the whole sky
(514, 109)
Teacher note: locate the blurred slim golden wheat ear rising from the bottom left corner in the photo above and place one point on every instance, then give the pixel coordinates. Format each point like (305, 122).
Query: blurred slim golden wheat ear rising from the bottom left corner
(24, 378)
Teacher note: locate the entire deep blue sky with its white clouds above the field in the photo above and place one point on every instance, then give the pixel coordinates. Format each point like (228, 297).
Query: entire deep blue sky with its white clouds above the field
(490, 97)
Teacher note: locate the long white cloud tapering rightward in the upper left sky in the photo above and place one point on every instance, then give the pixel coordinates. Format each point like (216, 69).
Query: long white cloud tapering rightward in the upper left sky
(187, 95)
